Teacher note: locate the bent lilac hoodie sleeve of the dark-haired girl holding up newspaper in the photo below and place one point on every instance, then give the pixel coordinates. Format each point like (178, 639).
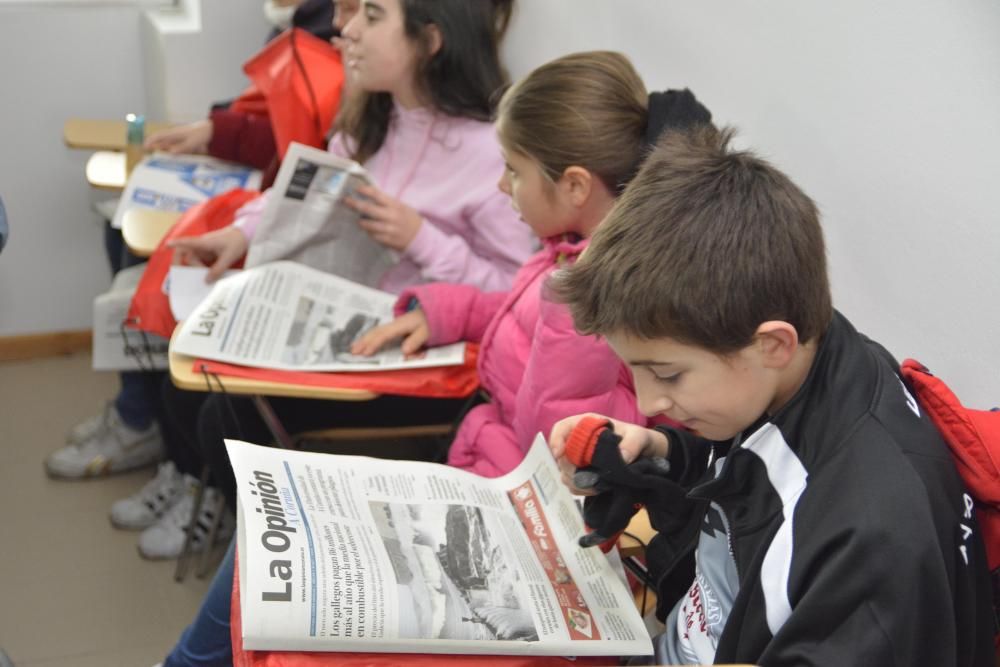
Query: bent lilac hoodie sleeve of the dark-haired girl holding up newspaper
(499, 244)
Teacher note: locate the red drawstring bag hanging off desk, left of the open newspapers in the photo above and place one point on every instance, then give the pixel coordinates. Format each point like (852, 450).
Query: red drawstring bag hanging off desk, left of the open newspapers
(150, 307)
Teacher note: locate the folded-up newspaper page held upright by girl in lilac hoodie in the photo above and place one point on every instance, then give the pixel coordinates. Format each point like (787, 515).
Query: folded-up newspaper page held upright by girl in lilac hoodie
(305, 219)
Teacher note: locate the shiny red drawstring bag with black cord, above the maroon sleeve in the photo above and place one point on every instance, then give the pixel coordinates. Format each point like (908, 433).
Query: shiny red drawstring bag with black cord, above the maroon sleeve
(300, 79)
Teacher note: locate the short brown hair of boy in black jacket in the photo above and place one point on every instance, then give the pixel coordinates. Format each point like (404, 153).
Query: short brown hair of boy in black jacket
(704, 245)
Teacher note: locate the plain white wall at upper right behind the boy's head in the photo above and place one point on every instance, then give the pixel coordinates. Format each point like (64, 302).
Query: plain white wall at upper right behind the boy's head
(887, 113)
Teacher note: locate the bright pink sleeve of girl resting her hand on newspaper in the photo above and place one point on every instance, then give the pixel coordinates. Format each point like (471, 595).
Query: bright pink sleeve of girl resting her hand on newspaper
(454, 312)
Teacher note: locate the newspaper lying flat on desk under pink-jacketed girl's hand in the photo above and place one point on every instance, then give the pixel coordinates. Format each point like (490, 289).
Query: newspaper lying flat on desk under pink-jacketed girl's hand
(287, 316)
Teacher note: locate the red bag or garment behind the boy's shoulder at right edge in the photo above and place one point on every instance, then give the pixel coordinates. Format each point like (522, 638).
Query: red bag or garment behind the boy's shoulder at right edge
(974, 439)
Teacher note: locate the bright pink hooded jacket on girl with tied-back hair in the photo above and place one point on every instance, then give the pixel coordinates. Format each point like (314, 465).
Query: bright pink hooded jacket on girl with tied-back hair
(534, 365)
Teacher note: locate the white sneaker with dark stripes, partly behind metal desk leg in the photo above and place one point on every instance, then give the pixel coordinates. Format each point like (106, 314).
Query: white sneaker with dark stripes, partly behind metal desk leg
(165, 538)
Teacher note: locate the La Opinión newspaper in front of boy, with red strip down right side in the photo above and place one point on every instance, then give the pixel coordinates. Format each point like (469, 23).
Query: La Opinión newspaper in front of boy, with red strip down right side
(347, 553)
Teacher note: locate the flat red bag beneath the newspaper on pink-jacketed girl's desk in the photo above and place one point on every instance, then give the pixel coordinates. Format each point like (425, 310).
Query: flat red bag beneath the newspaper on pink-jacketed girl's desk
(436, 382)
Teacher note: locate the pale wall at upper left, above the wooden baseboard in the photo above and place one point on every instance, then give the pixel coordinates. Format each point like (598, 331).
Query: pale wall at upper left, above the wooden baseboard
(87, 60)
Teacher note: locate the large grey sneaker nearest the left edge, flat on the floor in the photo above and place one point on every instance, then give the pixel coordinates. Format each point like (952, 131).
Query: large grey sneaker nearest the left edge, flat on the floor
(105, 445)
